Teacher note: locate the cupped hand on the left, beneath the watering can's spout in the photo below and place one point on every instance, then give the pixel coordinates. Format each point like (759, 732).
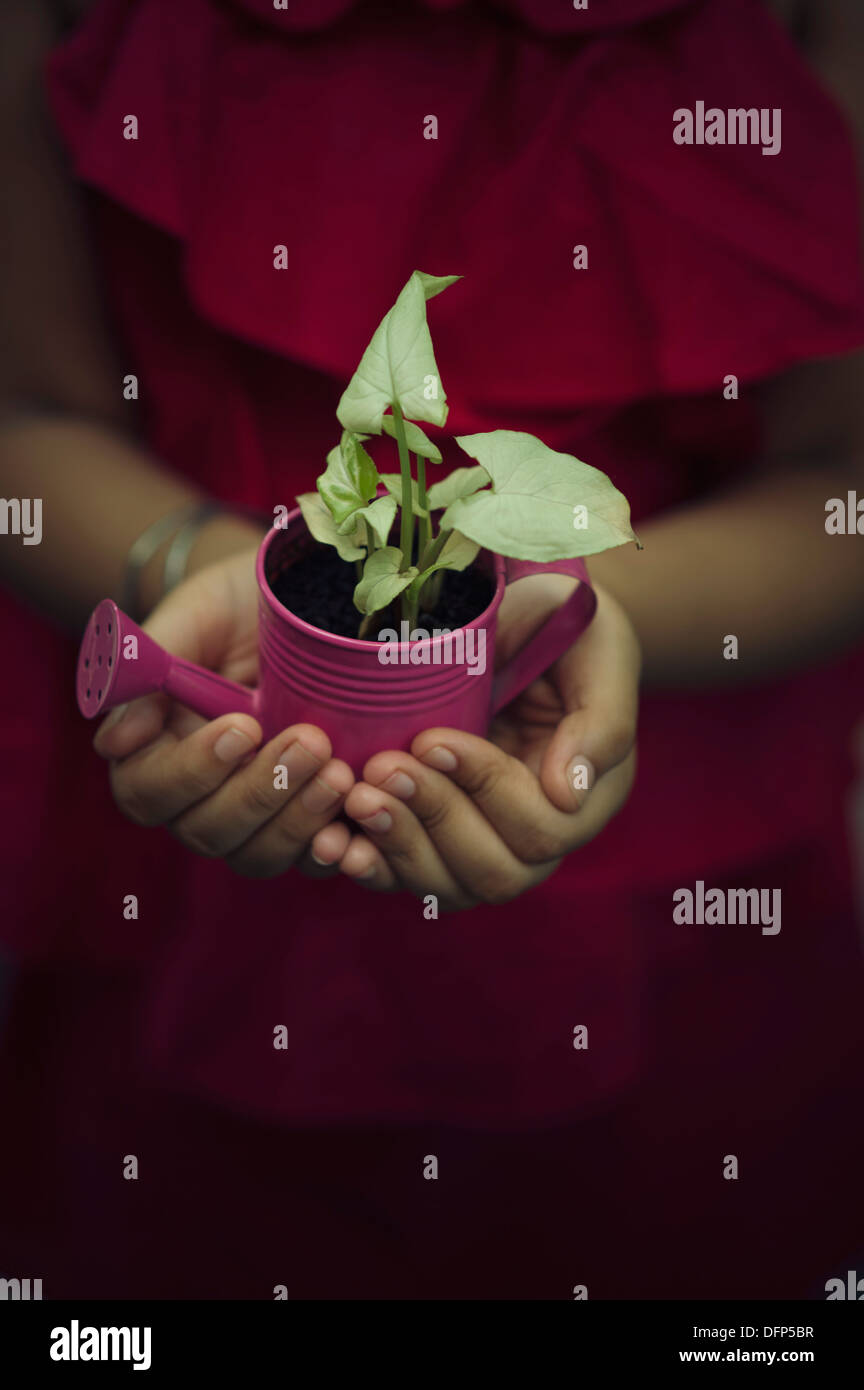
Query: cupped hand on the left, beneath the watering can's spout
(212, 785)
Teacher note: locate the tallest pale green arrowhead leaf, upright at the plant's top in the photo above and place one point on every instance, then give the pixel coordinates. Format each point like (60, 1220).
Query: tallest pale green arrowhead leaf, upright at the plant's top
(399, 365)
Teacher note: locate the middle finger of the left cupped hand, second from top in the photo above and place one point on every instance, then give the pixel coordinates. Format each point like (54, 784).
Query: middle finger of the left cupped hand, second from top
(262, 789)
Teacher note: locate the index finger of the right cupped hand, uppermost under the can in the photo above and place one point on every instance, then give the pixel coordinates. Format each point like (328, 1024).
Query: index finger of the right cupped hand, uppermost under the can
(508, 804)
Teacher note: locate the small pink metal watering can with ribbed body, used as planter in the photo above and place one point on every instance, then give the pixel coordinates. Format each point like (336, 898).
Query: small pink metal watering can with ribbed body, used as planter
(337, 683)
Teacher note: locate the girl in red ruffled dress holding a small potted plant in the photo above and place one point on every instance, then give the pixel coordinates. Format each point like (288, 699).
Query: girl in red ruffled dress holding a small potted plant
(565, 1086)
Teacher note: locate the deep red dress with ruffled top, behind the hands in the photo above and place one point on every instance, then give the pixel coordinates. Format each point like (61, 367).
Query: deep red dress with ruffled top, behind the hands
(556, 1166)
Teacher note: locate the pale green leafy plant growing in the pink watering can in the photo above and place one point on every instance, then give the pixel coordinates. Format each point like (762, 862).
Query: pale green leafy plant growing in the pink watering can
(520, 498)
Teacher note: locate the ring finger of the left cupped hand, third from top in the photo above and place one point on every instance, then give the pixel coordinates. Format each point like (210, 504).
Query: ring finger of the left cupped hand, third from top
(285, 839)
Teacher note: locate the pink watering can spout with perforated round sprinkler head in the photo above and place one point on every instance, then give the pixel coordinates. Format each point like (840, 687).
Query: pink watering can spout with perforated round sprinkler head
(119, 662)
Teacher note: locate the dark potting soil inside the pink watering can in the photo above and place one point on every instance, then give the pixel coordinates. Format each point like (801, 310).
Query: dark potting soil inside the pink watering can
(320, 587)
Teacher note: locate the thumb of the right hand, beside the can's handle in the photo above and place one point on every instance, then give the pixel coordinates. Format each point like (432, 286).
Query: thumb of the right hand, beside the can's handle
(599, 683)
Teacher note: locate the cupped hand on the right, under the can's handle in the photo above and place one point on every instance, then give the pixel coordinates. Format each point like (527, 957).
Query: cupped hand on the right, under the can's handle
(476, 821)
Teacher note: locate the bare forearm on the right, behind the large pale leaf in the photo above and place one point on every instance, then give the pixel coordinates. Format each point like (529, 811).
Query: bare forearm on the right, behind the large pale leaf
(756, 565)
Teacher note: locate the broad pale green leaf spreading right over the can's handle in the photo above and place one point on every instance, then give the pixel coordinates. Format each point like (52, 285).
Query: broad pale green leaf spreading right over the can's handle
(534, 509)
